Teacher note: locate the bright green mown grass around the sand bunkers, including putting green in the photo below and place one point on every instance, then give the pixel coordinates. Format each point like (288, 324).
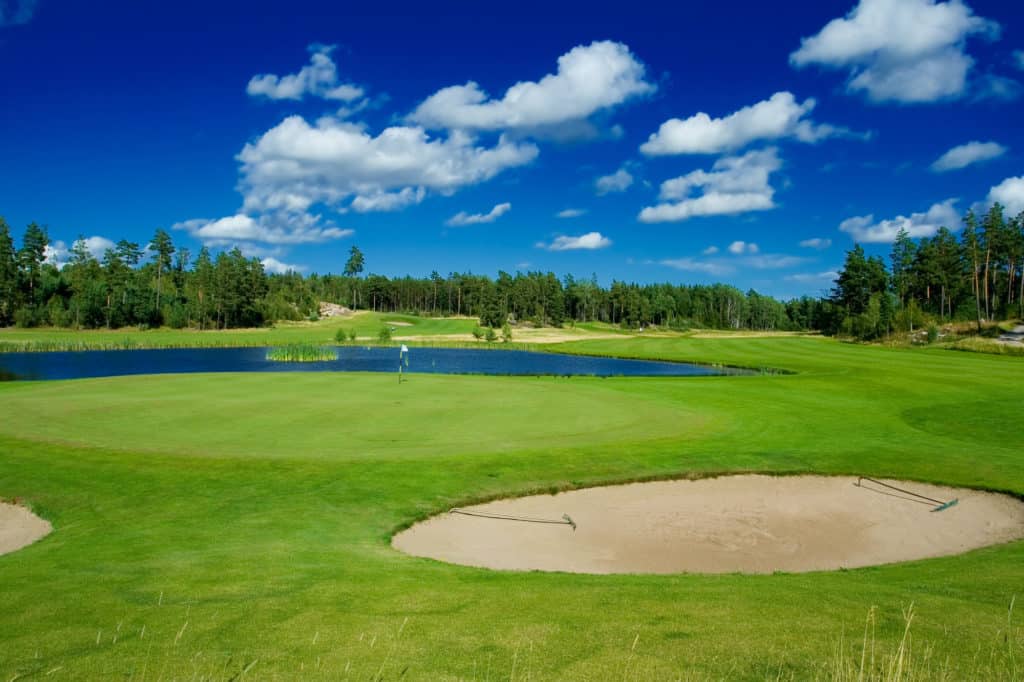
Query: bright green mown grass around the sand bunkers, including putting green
(214, 526)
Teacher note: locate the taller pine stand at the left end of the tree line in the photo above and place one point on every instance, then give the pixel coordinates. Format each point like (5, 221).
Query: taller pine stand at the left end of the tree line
(169, 288)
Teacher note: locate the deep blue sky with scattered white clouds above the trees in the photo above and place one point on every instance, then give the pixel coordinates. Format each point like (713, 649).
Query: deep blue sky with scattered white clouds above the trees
(743, 143)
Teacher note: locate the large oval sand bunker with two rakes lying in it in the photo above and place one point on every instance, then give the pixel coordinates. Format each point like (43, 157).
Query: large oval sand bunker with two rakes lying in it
(746, 524)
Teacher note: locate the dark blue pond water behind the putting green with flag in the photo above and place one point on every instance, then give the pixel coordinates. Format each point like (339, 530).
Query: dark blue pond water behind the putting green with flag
(428, 361)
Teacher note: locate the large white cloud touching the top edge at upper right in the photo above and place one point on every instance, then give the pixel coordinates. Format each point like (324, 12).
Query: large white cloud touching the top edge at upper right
(900, 51)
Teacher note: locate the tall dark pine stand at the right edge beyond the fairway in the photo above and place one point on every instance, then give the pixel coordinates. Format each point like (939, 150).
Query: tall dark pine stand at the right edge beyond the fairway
(978, 277)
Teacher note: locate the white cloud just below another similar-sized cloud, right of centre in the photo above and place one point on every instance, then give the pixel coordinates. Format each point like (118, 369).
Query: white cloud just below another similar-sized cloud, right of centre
(736, 185)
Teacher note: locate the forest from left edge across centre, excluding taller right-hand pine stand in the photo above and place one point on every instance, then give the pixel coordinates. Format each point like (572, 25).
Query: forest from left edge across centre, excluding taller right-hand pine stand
(161, 284)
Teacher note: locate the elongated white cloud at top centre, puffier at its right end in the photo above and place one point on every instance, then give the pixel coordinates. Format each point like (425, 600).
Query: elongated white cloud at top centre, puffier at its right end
(590, 78)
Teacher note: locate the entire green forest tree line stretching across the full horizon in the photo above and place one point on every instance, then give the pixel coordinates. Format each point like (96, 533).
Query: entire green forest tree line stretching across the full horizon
(977, 276)
